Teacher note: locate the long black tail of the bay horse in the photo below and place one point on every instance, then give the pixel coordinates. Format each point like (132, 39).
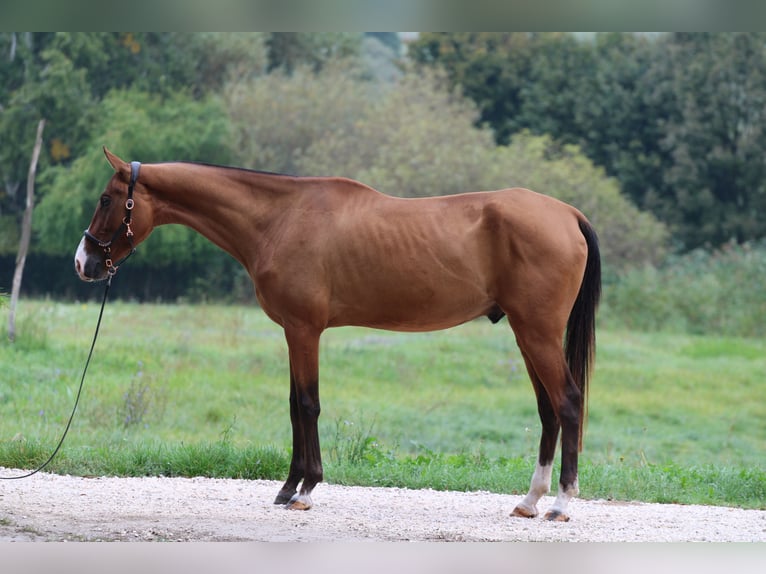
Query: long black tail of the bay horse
(580, 342)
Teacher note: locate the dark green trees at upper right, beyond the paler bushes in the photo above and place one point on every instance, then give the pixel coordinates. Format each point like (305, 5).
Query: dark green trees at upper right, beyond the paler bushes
(676, 118)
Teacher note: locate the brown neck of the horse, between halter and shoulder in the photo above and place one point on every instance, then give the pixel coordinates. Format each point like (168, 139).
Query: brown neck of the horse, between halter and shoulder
(232, 208)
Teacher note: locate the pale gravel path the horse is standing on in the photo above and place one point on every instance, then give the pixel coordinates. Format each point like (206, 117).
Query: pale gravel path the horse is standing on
(51, 507)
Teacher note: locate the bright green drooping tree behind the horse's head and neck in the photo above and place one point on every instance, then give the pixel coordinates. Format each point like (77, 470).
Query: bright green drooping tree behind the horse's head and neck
(133, 124)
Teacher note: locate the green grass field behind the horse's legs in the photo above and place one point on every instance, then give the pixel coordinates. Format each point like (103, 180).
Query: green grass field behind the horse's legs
(202, 390)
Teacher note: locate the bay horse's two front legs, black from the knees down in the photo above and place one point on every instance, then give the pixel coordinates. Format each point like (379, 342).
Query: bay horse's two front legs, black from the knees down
(306, 463)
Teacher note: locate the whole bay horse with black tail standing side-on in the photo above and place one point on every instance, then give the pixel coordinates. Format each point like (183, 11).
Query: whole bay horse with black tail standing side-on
(328, 251)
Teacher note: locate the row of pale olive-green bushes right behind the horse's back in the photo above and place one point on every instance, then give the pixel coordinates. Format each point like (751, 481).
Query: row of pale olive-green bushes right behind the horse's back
(417, 138)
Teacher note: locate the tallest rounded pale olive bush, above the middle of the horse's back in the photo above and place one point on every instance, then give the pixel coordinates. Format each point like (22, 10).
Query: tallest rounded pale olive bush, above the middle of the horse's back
(414, 140)
